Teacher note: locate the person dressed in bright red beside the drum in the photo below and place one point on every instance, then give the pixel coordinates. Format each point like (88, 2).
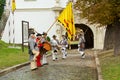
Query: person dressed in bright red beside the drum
(39, 44)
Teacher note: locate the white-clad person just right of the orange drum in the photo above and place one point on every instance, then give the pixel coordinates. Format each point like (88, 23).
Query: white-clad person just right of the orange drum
(54, 44)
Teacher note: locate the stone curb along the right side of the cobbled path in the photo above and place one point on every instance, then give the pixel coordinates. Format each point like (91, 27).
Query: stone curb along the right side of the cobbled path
(98, 66)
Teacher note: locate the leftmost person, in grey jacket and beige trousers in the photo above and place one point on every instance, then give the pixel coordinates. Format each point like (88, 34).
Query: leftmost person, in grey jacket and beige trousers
(33, 51)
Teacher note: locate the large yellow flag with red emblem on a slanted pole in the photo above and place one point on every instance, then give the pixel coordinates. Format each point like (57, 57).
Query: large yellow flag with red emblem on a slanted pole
(66, 18)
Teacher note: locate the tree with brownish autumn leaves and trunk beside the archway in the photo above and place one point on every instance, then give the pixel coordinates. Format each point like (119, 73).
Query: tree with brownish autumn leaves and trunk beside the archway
(102, 12)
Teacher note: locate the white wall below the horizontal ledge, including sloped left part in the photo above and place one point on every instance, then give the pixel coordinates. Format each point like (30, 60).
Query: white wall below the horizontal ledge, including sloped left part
(39, 20)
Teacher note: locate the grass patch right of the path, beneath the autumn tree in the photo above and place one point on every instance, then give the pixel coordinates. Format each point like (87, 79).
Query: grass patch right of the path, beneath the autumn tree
(110, 66)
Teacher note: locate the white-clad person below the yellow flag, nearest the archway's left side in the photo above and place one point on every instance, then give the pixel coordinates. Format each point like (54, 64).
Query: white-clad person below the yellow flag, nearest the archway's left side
(64, 45)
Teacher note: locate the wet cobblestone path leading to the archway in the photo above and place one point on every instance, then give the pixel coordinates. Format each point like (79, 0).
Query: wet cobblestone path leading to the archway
(72, 68)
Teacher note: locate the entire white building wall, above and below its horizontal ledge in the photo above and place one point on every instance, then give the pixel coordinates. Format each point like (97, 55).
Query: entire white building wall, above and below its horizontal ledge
(38, 13)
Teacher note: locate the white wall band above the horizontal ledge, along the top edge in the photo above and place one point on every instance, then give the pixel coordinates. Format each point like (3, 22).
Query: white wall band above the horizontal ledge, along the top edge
(38, 3)
